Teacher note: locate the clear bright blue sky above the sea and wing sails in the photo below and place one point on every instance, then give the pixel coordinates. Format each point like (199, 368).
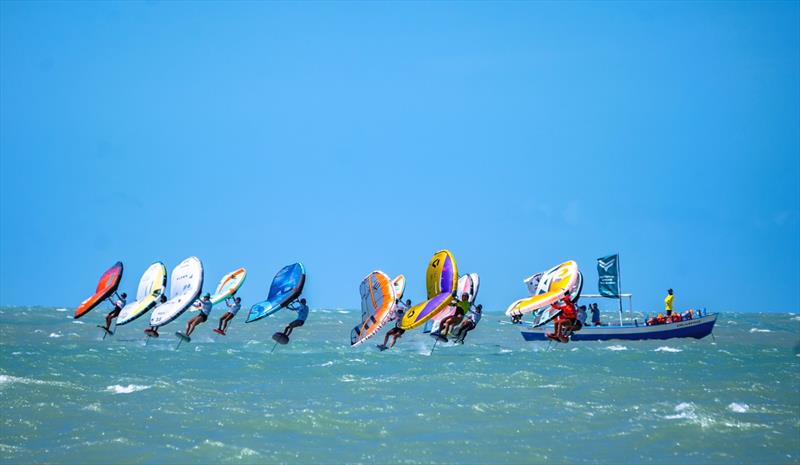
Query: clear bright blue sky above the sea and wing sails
(362, 136)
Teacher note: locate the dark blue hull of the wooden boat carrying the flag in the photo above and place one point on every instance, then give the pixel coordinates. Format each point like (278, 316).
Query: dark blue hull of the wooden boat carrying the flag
(697, 328)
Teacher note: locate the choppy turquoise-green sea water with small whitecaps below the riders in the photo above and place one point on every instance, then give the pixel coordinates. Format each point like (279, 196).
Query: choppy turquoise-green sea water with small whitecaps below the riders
(67, 396)
